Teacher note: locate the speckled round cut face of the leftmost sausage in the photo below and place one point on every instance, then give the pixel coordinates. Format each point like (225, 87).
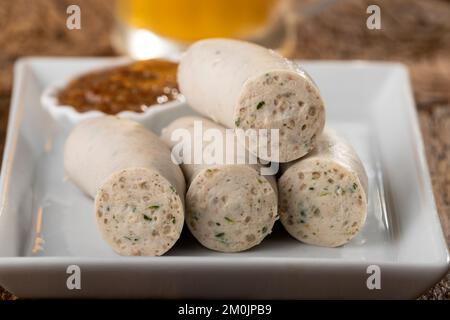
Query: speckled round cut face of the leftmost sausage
(139, 212)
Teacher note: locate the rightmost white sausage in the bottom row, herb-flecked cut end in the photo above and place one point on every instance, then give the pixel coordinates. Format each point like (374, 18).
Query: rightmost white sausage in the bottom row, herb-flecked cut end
(323, 197)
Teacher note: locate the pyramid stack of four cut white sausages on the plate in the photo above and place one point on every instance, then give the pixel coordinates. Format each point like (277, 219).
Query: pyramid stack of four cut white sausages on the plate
(320, 195)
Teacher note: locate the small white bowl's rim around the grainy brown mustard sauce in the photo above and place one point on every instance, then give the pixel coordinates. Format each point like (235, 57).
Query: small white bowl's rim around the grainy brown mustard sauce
(67, 116)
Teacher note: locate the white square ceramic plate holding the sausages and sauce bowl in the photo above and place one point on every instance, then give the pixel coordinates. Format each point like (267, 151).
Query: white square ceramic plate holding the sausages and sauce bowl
(47, 224)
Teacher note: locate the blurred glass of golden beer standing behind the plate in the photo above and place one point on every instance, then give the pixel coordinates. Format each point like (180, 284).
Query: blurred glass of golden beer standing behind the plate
(158, 28)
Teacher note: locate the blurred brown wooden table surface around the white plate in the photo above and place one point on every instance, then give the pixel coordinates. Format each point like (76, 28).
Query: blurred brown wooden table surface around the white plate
(413, 32)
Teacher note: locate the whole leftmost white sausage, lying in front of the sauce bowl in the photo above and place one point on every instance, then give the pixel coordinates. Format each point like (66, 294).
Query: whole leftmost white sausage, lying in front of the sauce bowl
(138, 190)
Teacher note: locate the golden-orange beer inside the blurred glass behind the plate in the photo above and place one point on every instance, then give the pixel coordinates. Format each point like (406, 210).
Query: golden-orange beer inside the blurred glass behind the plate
(185, 21)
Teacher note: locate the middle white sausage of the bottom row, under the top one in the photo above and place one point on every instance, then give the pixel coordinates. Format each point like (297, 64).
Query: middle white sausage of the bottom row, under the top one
(229, 207)
